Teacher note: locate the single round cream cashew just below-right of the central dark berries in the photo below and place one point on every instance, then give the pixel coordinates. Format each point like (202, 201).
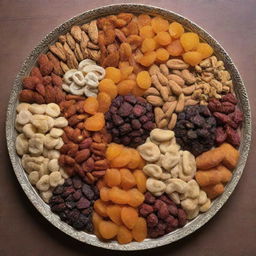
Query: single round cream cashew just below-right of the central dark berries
(149, 151)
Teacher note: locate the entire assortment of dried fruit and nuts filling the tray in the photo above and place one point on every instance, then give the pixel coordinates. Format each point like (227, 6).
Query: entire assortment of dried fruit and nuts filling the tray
(128, 127)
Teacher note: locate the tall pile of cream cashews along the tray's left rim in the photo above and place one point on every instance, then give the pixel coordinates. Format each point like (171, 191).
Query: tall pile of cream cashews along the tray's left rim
(38, 144)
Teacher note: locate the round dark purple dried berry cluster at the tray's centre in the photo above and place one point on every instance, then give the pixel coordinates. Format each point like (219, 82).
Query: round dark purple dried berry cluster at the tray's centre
(129, 120)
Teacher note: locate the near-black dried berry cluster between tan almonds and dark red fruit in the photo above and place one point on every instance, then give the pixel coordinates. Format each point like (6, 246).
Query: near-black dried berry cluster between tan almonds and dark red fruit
(195, 129)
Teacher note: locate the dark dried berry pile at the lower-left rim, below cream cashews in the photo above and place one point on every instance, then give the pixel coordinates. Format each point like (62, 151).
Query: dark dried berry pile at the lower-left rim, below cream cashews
(73, 202)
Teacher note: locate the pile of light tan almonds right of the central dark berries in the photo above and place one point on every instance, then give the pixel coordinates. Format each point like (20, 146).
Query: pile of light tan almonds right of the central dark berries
(171, 92)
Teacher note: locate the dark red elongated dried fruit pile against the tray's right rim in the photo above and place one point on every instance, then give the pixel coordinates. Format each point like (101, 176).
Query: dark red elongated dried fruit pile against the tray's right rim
(229, 119)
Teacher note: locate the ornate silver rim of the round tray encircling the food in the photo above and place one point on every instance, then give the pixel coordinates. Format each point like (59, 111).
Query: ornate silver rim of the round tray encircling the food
(32, 194)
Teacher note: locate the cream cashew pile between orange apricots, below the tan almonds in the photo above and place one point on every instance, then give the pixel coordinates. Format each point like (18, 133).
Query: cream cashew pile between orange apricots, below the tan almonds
(171, 170)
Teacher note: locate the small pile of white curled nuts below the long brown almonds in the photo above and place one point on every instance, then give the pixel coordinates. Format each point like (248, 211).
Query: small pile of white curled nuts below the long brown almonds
(84, 80)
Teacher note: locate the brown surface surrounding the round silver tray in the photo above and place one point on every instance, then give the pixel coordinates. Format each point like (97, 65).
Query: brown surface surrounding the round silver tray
(23, 231)
